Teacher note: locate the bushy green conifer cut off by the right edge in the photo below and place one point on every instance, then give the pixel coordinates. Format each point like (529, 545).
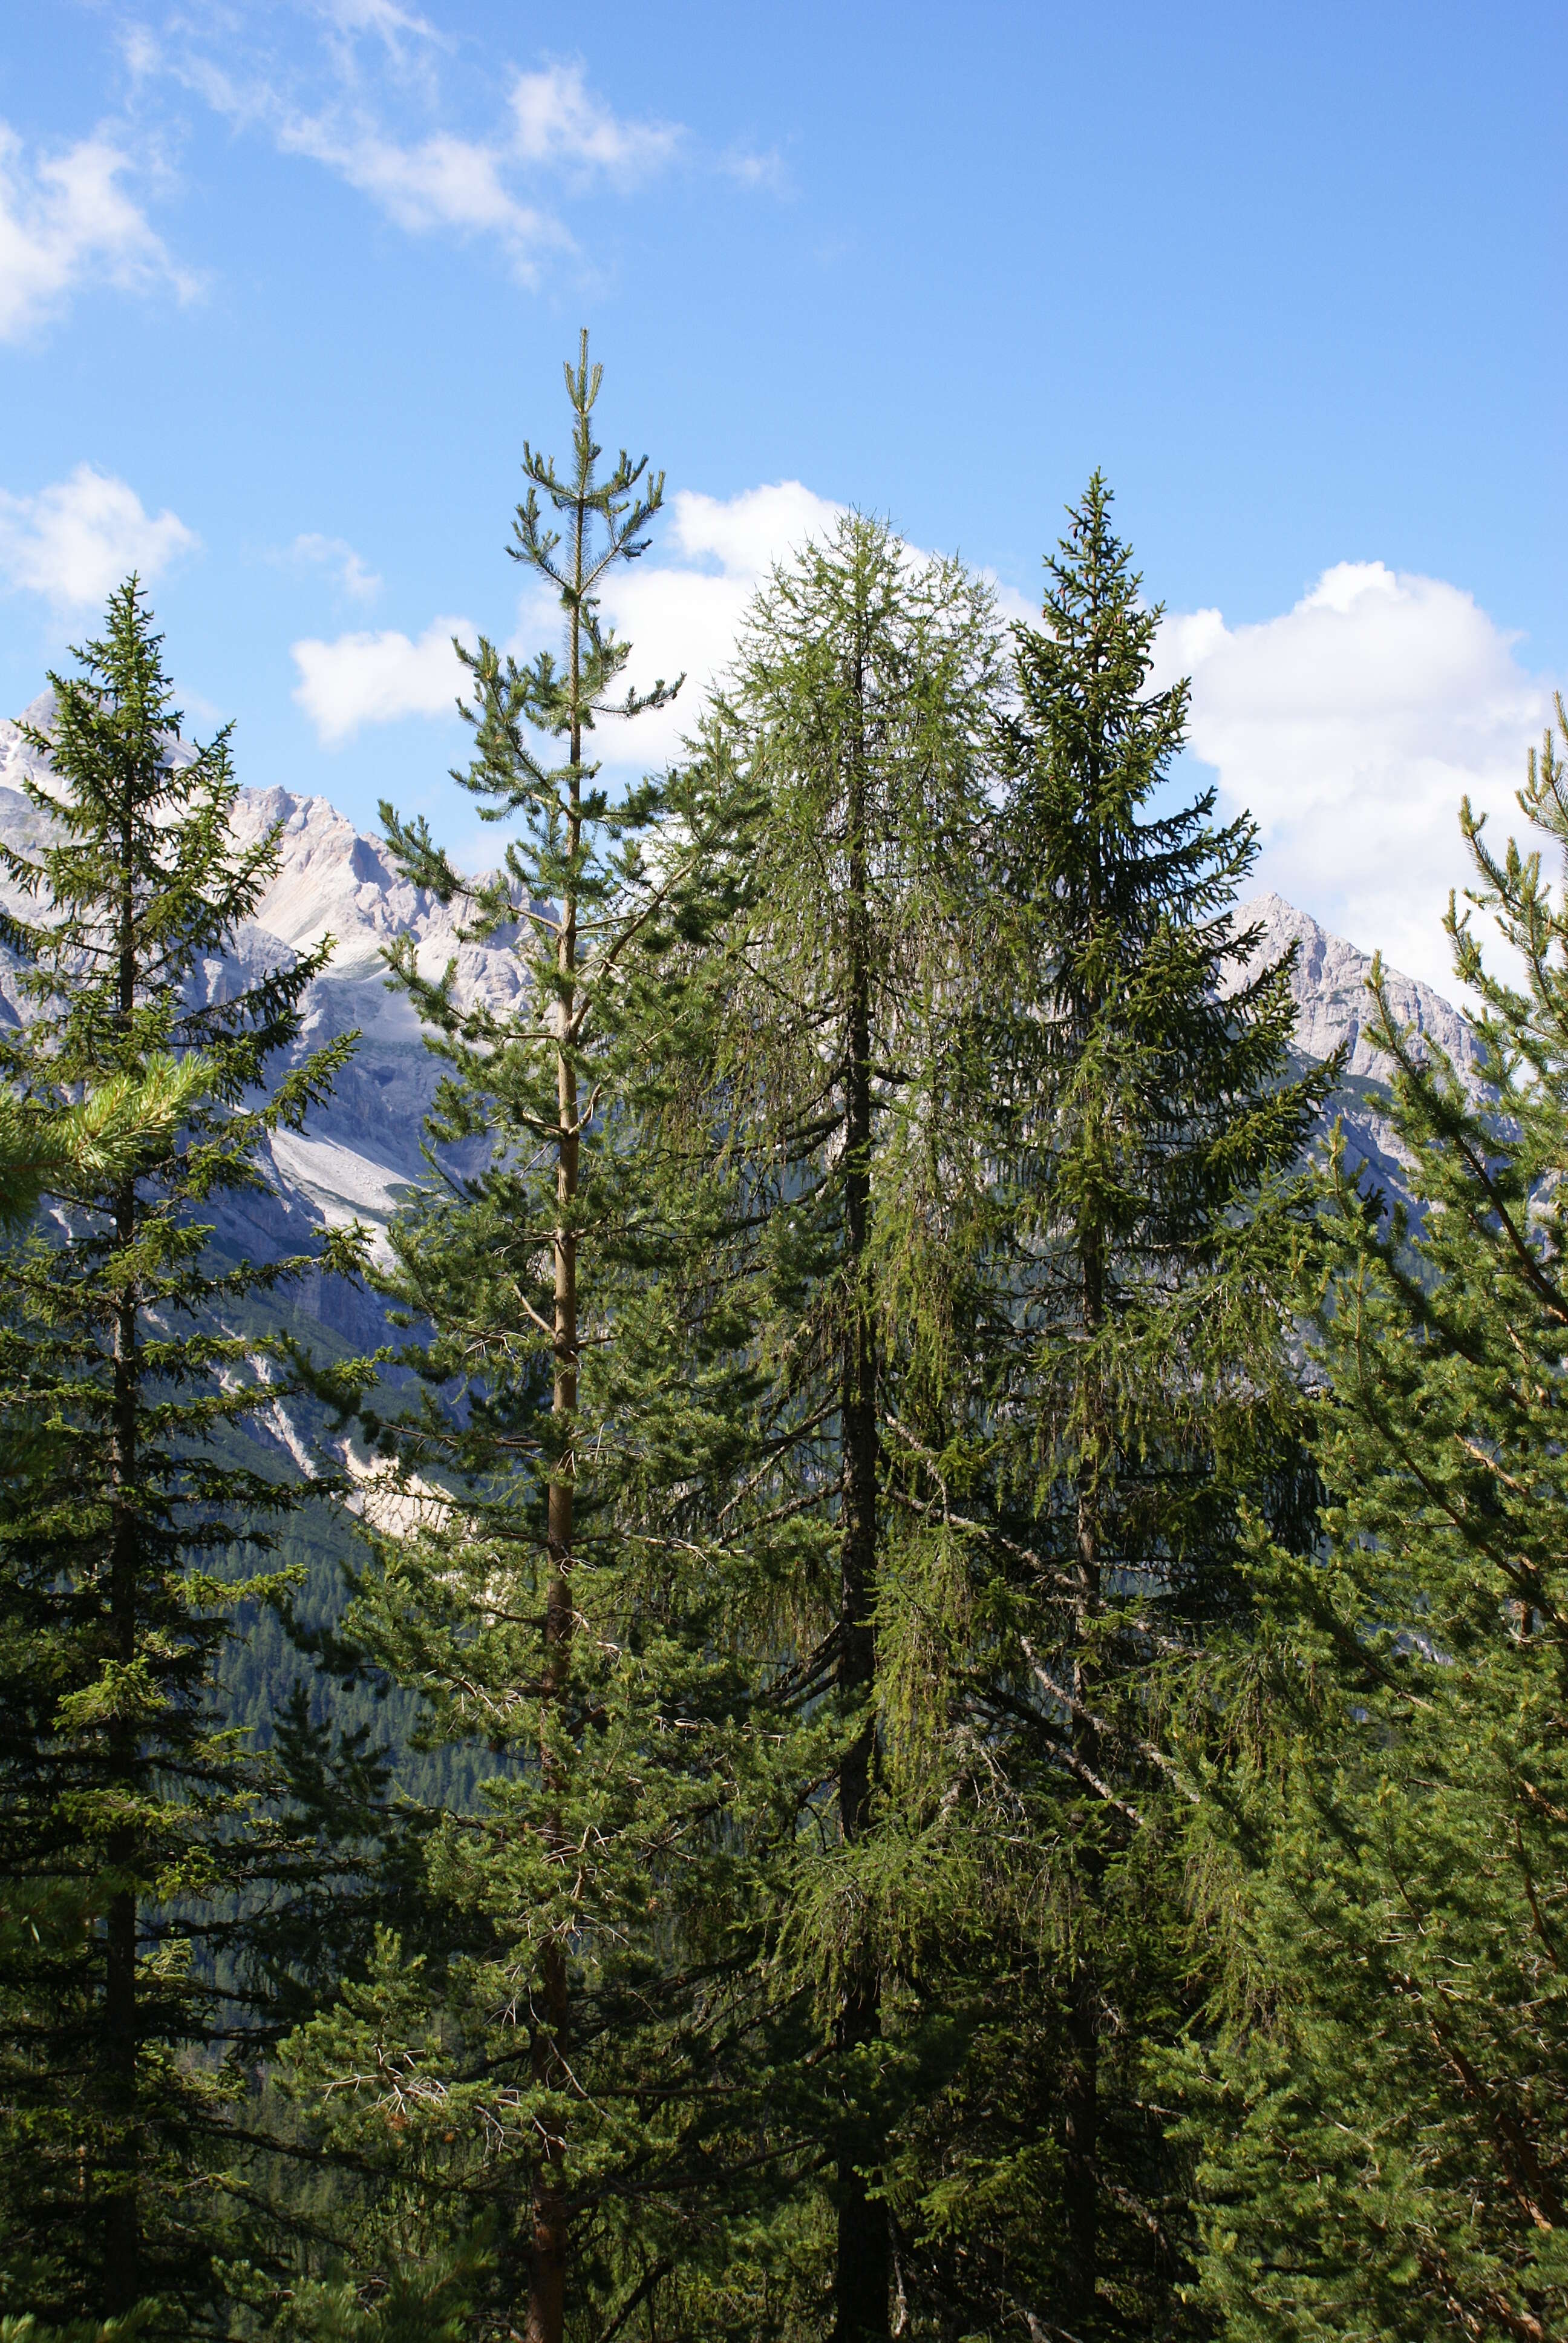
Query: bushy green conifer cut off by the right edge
(1389, 2103)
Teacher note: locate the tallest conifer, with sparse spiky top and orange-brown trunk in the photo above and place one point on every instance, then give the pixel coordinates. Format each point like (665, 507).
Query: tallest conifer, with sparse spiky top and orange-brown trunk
(540, 1587)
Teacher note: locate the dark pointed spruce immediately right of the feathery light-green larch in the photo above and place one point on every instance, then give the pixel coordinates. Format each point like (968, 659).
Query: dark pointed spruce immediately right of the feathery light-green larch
(1131, 1323)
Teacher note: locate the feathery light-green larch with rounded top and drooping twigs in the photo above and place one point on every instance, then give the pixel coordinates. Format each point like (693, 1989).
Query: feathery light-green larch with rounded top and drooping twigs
(861, 713)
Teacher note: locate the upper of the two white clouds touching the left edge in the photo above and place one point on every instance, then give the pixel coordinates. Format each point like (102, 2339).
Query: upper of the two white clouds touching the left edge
(67, 221)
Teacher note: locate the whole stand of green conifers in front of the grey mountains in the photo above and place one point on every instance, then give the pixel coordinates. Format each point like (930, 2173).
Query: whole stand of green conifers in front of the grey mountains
(969, 1634)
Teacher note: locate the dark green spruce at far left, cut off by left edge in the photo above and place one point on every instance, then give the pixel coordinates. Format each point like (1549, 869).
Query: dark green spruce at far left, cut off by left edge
(132, 1819)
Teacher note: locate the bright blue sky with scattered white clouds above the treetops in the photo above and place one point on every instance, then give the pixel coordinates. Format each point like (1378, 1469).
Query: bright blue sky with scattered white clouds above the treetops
(285, 287)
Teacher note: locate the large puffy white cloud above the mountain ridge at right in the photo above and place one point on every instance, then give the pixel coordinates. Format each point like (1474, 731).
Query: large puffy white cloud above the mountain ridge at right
(1351, 728)
